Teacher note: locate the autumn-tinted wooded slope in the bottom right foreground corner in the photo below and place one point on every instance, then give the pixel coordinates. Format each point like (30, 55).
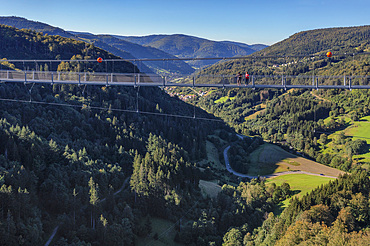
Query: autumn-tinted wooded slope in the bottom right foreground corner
(334, 214)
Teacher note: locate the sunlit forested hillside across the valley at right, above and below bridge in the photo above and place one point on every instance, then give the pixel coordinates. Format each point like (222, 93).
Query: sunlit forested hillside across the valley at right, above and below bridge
(299, 119)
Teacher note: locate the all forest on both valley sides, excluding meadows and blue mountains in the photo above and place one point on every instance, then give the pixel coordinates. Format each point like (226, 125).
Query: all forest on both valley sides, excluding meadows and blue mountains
(81, 161)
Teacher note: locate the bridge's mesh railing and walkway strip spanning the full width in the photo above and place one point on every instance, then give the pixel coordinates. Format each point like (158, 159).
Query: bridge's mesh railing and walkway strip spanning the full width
(142, 79)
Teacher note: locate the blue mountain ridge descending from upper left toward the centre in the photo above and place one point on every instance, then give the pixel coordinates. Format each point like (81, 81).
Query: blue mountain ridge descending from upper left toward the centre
(109, 43)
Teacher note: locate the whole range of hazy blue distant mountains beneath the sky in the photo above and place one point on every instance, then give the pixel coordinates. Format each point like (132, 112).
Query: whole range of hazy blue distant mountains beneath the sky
(151, 47)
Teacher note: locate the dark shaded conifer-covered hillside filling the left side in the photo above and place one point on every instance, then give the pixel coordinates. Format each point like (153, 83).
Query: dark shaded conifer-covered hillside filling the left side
(60, 165)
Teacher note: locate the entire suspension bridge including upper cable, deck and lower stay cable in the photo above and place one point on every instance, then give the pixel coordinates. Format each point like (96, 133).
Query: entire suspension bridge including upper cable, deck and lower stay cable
(30, 75)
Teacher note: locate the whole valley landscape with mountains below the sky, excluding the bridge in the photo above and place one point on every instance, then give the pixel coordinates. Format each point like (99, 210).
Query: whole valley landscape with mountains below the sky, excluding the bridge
(254, 166)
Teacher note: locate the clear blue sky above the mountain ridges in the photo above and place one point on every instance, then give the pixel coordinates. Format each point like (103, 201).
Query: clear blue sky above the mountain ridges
(251, 22)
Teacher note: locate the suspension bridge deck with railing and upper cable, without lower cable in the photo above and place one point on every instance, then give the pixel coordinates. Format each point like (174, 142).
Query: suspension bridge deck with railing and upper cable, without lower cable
(138, 79)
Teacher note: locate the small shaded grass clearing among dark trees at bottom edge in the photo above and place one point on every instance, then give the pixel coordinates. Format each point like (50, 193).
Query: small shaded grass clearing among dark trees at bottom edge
(163, 229)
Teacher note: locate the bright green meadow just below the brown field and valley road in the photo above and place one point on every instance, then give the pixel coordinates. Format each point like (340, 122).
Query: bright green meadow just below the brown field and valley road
(300, 184)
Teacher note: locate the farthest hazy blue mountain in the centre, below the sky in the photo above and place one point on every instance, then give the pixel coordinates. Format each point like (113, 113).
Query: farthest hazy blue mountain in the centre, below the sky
(185, 46)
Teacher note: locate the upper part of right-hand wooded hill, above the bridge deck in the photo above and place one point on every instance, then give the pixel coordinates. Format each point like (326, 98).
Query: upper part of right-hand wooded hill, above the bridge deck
(337, 40)
